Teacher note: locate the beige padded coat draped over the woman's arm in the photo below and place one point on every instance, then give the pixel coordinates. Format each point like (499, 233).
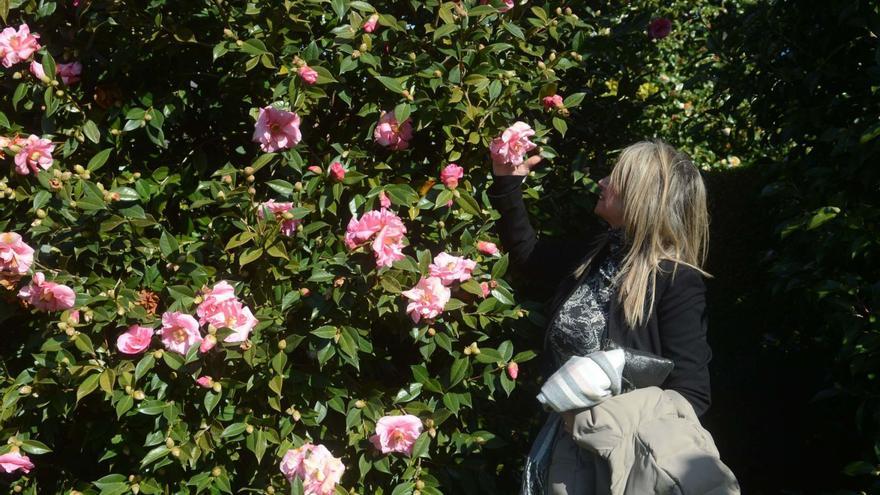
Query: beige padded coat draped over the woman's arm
(654, 443)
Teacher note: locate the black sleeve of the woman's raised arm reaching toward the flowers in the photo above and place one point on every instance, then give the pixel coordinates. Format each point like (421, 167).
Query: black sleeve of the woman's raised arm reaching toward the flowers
(543, 263)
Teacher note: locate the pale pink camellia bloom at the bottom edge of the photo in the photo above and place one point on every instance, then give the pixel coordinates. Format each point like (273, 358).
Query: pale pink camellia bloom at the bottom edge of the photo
(315, 466)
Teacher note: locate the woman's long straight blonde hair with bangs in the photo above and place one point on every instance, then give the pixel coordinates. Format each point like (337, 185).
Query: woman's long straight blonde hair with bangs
(665, 216)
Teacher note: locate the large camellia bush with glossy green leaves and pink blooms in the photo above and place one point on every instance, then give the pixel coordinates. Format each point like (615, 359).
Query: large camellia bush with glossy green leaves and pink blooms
(246, 247)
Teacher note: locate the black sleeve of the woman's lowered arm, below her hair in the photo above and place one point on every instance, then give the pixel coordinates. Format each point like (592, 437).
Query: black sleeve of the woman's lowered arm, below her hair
(681, 318)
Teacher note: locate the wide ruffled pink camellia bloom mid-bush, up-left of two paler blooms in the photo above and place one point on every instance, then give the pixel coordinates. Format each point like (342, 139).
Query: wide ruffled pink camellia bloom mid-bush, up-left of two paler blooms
(388, 229)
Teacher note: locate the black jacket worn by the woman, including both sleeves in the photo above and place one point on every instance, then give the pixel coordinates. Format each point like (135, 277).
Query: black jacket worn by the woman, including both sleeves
(676, 327)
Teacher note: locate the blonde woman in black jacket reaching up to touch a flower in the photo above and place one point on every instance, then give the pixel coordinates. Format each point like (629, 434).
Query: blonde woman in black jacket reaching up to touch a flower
(638, 283)
